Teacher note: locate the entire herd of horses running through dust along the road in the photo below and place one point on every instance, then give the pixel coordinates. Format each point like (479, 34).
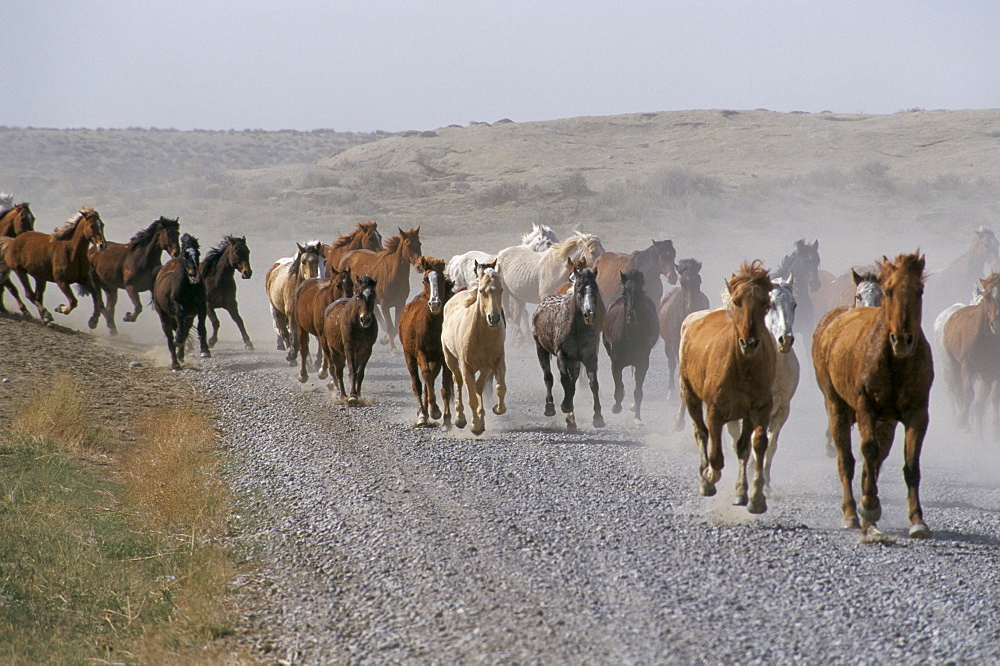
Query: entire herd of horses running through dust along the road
(735, 365)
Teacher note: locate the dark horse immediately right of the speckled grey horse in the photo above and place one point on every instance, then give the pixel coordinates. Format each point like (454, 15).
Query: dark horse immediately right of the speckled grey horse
(629, 332)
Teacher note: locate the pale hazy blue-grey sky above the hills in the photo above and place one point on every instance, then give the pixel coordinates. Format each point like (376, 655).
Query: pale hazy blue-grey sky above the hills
(365, 65)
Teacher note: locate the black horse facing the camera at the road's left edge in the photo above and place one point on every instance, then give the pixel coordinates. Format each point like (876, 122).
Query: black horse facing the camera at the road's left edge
(179, 297)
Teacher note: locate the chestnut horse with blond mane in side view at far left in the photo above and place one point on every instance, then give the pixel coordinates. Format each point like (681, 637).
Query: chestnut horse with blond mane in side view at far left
(60, 257)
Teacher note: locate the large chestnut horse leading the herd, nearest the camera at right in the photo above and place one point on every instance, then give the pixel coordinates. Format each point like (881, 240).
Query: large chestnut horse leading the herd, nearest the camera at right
(874, 367)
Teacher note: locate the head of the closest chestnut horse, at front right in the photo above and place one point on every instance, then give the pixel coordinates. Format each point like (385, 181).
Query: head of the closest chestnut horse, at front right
(902, 282)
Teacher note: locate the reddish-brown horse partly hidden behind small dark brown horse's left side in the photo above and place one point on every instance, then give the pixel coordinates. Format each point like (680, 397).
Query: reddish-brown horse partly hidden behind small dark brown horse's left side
(308, 314)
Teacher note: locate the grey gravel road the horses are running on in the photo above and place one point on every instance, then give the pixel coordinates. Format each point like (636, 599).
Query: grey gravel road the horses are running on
(380, 542)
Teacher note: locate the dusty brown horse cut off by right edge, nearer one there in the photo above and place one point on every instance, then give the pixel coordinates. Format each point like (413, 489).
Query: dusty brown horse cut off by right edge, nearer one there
(970, 342)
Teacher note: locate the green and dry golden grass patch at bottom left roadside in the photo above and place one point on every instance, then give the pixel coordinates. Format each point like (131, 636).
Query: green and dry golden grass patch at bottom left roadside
(112, 553)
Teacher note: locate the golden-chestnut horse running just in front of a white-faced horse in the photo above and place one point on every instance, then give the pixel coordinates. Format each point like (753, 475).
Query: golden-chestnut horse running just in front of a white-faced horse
(727, 363)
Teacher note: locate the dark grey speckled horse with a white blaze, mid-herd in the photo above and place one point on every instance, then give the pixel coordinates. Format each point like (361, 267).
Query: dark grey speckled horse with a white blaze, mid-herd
(564, 327)
